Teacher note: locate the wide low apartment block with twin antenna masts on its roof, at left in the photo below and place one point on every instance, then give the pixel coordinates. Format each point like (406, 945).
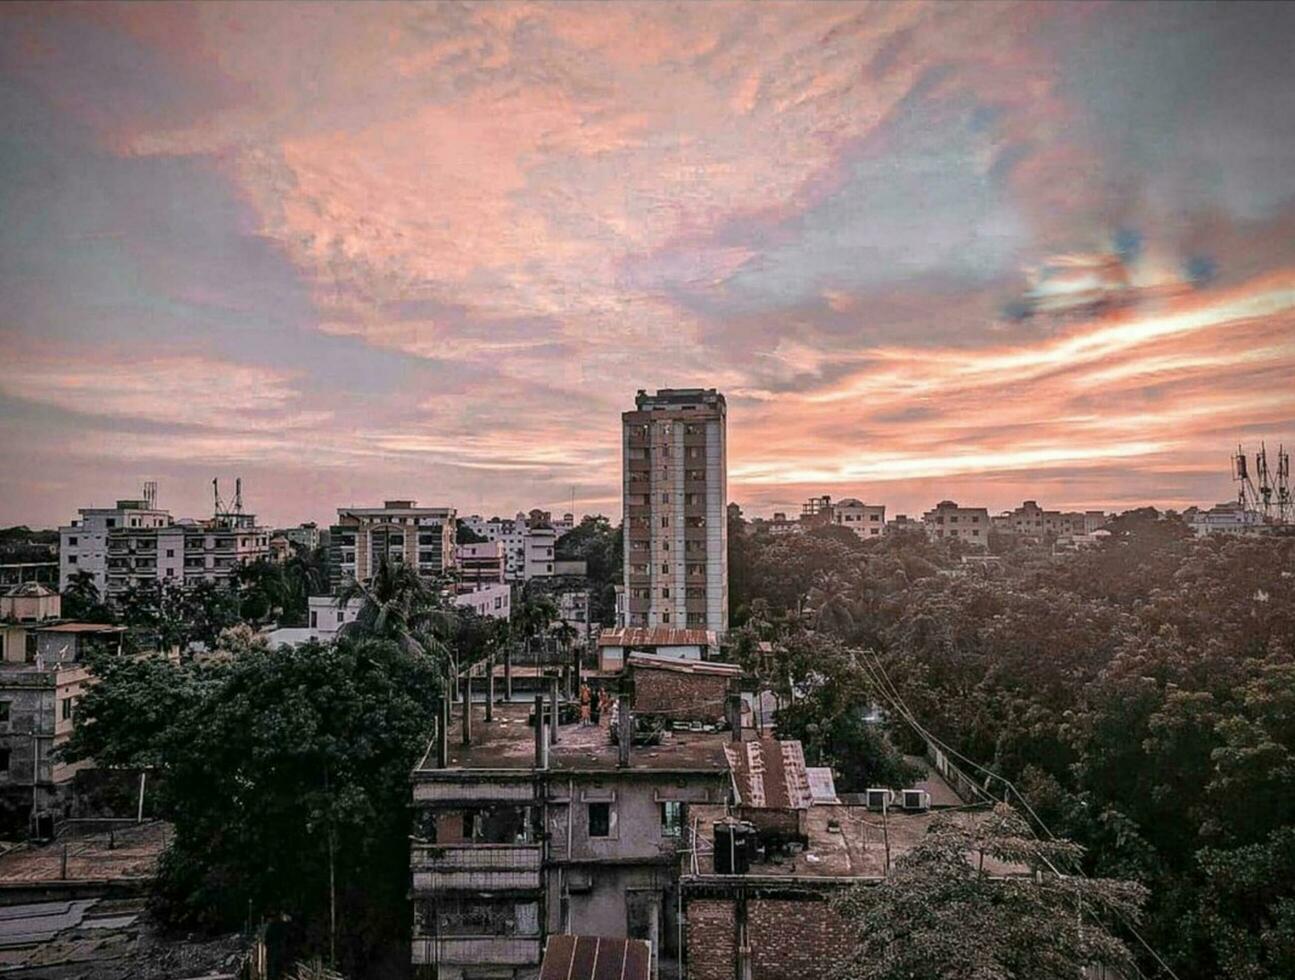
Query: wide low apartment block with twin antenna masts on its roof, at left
(186, 553)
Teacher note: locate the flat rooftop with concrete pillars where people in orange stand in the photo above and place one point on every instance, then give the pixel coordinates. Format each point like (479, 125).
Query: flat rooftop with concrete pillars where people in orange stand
(508, 742)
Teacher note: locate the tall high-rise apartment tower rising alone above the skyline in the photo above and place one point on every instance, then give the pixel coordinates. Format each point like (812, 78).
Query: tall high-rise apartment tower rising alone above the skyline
(675, 477)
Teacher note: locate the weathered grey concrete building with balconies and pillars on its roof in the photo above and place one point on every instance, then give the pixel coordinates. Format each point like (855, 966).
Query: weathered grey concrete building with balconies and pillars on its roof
(525, 833)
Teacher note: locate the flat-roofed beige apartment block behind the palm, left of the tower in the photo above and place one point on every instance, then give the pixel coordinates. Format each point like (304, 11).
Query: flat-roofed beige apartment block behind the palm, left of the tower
(398, 531)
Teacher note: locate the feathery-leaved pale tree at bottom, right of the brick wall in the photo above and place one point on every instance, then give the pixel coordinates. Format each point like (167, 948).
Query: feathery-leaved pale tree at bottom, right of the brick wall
(952, 907)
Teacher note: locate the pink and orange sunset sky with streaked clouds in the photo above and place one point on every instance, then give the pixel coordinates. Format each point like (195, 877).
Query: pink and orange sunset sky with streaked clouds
(365, 252)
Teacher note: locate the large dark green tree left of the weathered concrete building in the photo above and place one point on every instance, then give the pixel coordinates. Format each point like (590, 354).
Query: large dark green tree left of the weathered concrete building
(286, 776)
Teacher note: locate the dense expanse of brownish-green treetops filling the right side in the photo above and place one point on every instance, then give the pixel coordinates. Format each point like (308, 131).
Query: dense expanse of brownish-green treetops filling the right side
(1138, 695)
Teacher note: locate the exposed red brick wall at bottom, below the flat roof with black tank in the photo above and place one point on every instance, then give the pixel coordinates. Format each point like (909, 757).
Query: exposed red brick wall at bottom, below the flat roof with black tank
(791, 941)
